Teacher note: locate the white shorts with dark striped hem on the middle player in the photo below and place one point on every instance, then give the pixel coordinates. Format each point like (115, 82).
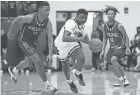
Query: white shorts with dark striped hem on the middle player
(66, 49)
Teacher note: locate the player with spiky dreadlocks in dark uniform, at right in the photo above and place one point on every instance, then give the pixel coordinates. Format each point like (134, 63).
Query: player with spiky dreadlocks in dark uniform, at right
(119, 44)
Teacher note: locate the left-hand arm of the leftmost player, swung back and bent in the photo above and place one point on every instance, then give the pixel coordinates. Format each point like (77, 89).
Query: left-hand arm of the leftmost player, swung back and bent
(17, 24)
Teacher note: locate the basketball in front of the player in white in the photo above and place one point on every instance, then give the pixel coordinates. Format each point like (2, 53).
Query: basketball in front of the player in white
(95, 45)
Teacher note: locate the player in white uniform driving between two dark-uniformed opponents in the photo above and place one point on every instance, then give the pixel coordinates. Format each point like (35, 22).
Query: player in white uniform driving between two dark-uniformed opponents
(67, 43)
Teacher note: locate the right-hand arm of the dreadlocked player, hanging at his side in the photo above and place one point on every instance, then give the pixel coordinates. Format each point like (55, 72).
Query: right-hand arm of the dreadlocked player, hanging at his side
(124, 34)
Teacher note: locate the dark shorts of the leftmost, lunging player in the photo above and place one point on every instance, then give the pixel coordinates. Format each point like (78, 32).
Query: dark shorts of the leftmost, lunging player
(27, 48)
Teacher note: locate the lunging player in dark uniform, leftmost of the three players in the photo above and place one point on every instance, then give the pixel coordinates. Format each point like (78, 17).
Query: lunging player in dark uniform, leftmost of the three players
(32, 26)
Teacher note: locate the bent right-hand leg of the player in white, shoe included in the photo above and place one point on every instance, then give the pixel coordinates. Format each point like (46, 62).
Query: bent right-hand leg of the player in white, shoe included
(79, 56)
